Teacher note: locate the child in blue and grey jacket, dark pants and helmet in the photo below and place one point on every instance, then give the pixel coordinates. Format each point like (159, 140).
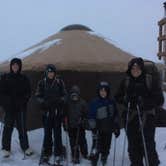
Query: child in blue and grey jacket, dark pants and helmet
(103, 121)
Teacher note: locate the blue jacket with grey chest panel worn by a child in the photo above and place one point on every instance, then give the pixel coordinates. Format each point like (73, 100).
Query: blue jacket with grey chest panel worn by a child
(103, 114)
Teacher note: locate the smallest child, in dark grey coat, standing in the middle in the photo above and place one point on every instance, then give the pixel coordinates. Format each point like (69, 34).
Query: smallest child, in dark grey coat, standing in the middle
(76, 114)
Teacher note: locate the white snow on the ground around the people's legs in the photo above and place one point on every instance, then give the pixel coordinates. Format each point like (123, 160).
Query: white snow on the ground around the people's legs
(36, 137)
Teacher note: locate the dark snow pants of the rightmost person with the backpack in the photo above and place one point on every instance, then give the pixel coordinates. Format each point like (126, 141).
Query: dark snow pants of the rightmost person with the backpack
(135, 143)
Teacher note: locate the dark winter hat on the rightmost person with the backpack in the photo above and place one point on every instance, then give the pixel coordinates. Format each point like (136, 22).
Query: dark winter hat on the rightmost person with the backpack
(135, 61)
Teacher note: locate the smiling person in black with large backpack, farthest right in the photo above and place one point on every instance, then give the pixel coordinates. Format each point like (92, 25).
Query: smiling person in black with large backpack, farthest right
(134, 90)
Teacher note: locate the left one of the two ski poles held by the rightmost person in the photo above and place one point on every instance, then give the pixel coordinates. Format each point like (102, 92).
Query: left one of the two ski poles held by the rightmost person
(125, 136)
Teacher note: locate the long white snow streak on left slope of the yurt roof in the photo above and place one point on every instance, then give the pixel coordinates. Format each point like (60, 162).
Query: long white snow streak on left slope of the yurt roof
(39, 48)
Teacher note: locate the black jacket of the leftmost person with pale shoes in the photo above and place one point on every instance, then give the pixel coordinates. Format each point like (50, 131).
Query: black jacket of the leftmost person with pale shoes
(15, 91)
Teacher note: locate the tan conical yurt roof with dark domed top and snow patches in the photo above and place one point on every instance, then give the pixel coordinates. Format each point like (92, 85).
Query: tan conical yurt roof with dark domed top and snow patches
(74, 49)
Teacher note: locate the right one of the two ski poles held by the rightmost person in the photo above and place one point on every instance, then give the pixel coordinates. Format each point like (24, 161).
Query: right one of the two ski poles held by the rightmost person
(143, 137)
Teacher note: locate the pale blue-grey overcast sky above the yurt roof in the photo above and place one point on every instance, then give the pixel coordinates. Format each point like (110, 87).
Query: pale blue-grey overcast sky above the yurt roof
(131, 24)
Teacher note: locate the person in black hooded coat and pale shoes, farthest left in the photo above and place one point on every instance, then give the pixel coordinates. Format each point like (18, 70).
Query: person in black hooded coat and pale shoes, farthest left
(15, 92)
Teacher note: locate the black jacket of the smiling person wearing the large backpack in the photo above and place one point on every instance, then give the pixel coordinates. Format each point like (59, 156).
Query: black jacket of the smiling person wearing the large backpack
(136, 91)
